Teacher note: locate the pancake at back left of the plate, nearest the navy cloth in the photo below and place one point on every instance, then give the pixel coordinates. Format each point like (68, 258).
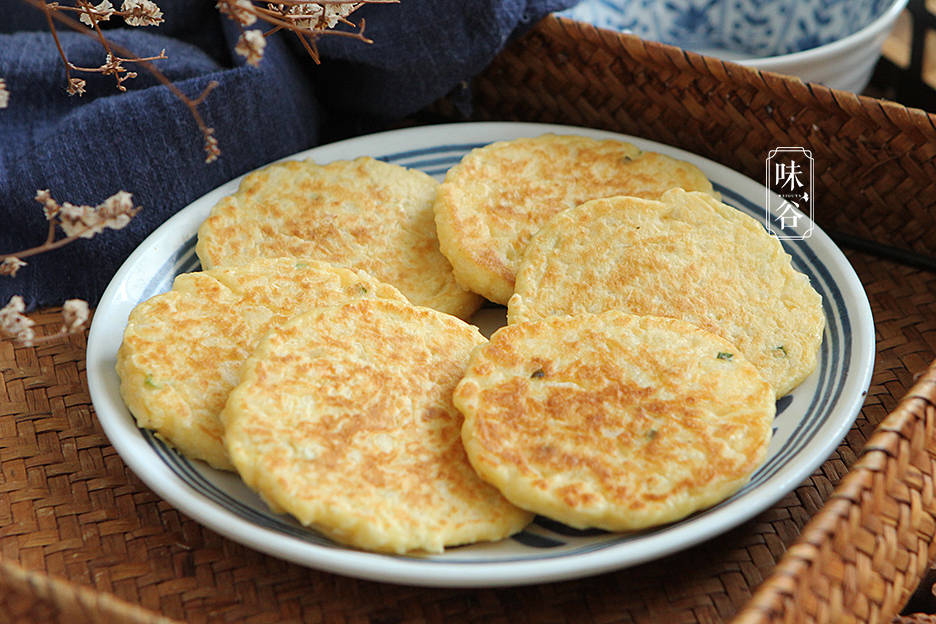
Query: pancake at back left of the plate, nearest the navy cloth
(364, 214)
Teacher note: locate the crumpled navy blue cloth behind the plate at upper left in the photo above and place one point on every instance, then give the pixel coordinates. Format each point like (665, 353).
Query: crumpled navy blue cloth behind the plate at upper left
(84, 149)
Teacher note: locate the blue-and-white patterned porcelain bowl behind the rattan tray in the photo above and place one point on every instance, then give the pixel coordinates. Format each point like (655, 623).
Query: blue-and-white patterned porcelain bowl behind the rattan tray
(834, 42)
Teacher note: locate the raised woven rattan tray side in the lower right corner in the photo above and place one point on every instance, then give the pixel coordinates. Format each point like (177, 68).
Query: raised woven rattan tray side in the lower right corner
(864, 555)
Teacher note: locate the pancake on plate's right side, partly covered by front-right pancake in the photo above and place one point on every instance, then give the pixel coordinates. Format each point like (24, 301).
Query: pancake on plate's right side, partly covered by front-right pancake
(687, 256)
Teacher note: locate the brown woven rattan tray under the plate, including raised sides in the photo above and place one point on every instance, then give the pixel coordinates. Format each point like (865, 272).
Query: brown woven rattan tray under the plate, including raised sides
(82, 539)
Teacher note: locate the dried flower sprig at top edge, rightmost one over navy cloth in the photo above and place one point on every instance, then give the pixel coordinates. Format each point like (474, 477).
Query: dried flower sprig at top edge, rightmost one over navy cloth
(307, 19)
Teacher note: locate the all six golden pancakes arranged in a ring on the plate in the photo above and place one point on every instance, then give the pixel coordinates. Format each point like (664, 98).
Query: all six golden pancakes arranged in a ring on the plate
(324, 352)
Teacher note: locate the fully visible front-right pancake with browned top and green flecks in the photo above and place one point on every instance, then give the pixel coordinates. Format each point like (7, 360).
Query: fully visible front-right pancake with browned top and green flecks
(613, 421)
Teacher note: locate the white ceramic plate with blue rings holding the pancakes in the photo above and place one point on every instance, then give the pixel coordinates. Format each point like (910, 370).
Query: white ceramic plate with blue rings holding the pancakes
(810, 423)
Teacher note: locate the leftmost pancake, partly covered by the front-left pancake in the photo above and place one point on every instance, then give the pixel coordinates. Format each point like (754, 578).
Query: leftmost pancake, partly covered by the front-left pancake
(182, 350)
